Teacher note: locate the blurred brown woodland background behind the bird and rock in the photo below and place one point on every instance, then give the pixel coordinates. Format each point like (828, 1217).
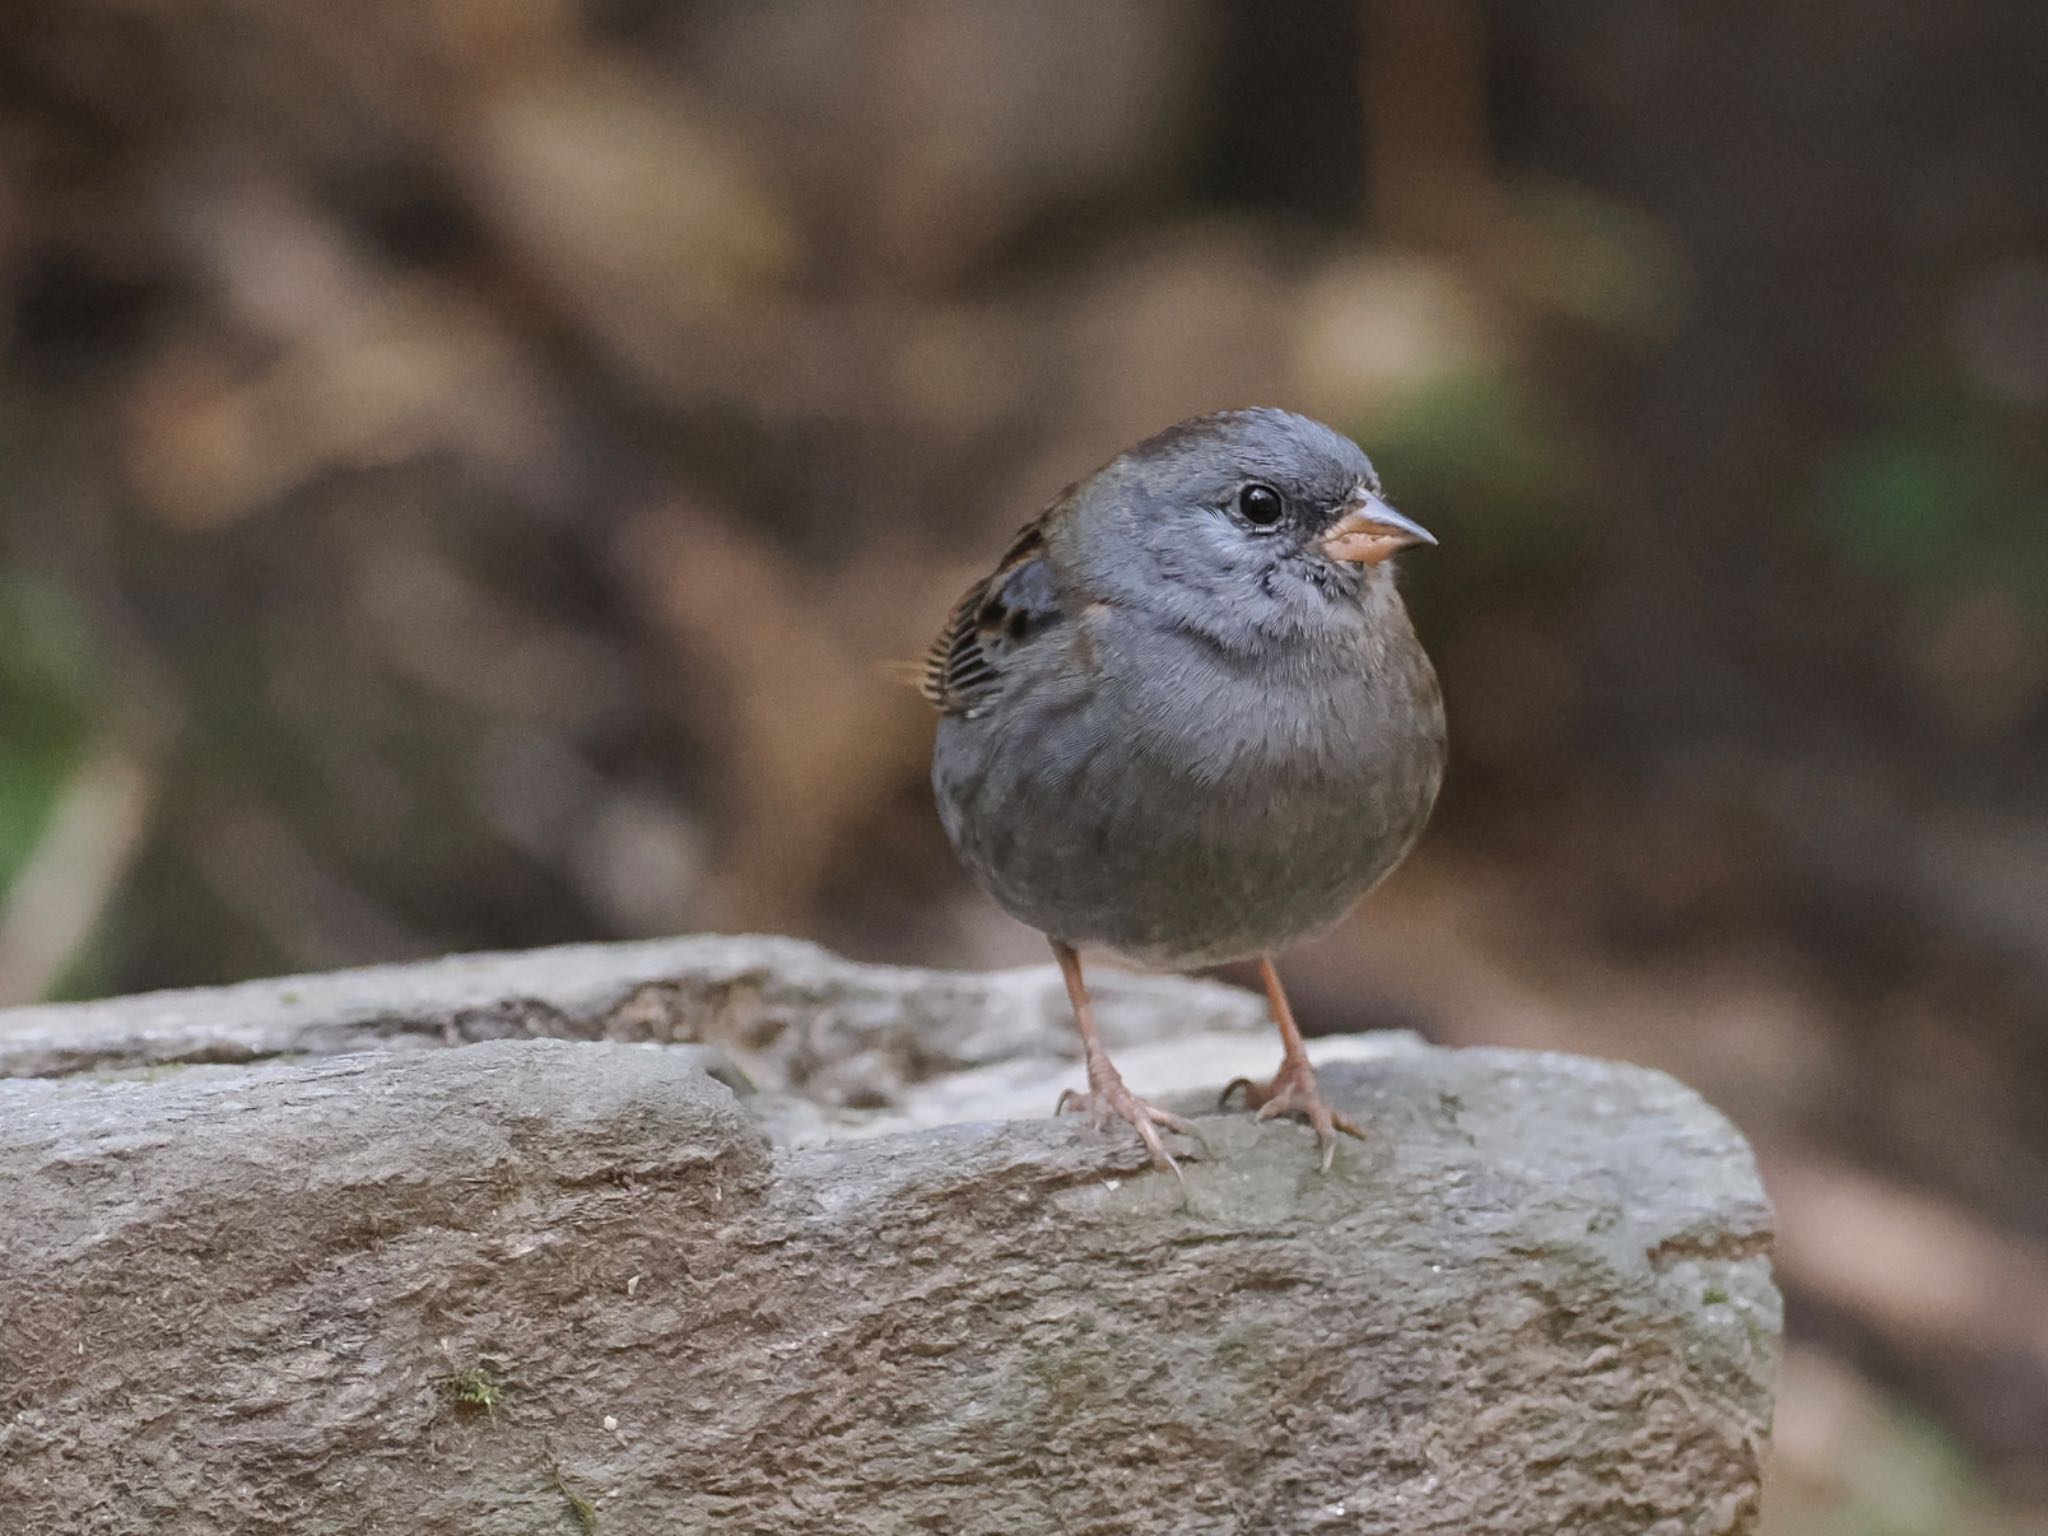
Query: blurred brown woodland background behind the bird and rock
(472, 474)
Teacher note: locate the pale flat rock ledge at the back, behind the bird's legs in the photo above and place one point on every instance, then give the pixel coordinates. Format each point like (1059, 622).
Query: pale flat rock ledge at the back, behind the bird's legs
(794, 1011)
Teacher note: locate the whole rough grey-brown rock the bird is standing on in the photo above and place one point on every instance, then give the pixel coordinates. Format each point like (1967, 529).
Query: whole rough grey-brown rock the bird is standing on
(534, 1285)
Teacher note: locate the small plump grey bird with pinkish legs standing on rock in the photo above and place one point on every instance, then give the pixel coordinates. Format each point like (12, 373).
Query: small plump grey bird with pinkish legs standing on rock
(1187, 720)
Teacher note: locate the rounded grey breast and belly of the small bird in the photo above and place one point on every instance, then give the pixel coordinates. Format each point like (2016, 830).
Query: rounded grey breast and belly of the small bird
(1185, 802)
